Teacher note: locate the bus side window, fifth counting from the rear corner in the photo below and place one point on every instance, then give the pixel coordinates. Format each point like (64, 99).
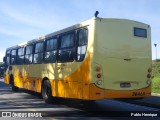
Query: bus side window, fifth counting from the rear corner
(28, 54)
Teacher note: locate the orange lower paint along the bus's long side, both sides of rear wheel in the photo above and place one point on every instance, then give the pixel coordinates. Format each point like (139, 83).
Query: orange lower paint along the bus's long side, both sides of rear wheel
(74, 86)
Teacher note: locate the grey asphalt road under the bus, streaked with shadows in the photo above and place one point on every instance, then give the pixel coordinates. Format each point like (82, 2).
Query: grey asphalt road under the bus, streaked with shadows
(28, 105)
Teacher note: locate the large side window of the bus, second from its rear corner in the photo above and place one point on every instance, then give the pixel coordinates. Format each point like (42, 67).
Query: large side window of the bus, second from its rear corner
(67, 49)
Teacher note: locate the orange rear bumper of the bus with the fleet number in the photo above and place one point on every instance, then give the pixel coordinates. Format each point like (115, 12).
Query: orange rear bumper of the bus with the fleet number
(99, 93)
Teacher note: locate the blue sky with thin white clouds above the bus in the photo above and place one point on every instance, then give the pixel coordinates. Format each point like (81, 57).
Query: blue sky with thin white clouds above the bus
(24, 20)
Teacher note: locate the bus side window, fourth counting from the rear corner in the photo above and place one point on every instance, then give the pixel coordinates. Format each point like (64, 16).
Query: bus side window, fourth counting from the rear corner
(38, 53)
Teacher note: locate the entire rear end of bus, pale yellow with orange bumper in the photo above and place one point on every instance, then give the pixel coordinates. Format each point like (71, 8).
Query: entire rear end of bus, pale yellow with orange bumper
(122, 59)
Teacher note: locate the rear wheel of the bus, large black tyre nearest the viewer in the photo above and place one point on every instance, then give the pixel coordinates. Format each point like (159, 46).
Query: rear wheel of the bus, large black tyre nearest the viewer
(47, 91)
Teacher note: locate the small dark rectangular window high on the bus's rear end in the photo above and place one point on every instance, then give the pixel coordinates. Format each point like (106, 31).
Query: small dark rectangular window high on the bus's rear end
(140, 32)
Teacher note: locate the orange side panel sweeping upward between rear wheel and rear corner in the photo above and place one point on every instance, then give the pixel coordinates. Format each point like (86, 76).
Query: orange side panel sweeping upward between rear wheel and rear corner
(71, 86)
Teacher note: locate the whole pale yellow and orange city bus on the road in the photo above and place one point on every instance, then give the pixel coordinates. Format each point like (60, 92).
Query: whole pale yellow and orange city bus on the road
(96, 59)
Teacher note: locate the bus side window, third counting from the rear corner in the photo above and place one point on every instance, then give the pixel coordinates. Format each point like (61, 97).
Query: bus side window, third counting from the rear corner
(51, 50)
